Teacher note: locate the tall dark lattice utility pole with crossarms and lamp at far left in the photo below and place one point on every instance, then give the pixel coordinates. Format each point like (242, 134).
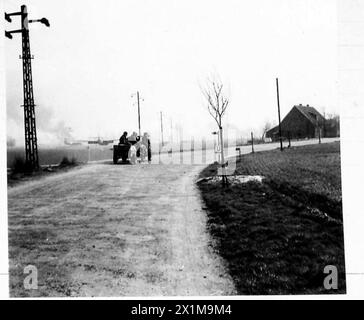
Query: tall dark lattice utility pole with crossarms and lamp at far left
(31, 146)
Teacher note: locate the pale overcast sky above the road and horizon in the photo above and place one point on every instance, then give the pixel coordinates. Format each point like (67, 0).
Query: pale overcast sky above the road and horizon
(98, 53)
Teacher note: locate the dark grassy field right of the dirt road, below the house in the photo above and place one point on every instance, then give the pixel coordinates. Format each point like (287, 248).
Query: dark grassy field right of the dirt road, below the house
(277, 236)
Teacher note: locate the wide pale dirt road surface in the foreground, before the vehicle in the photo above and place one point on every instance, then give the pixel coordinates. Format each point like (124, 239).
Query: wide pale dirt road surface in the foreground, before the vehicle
(106, 230)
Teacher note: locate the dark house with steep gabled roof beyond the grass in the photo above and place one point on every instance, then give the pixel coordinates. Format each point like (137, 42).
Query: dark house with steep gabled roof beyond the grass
(300, 123)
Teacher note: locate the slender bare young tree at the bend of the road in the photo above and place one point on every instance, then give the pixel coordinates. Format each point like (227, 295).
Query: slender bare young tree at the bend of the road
(217, 103)
